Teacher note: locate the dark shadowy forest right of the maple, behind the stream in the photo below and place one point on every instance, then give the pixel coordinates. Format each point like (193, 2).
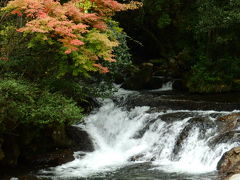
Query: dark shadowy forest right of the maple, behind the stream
(197, 41)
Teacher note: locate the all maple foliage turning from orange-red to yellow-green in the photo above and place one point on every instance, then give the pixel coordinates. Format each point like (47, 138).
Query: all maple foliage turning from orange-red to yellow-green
(75, 30)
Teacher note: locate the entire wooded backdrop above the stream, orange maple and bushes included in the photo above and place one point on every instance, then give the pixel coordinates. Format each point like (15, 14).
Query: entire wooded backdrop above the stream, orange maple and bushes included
(49, 77)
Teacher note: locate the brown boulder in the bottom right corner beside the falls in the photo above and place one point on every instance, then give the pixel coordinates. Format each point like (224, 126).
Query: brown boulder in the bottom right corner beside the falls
(229, 164)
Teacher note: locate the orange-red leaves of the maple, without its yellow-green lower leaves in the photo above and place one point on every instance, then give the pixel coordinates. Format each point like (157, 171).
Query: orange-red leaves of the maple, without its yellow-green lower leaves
(67, 23)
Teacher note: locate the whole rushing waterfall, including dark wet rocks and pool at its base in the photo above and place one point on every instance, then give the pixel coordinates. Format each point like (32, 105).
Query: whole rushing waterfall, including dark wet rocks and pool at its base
(148, 142)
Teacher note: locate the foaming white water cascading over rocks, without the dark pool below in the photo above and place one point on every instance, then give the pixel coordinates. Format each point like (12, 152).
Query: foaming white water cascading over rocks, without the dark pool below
(121, 135)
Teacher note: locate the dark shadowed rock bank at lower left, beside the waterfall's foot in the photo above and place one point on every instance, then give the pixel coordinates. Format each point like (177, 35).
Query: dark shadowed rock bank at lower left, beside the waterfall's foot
(53, 148)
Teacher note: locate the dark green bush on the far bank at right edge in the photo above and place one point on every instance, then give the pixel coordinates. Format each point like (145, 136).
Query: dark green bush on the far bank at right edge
(214, 76)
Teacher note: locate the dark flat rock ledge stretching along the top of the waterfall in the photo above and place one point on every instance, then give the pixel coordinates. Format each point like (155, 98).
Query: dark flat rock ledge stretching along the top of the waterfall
(178, 101)
